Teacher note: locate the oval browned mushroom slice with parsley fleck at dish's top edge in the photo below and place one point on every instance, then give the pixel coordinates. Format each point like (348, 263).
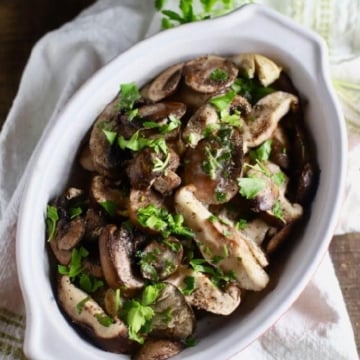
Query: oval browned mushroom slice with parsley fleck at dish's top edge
(210, 74)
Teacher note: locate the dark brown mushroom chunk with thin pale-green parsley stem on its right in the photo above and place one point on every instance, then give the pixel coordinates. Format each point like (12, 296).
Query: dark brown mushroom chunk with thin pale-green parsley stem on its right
(148, 164)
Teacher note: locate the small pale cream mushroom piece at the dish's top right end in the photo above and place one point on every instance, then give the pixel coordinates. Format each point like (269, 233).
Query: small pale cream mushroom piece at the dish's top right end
(250, 65)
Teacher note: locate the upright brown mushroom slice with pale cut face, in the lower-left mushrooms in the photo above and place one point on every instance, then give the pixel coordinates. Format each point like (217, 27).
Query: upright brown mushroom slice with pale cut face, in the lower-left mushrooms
(116, 248)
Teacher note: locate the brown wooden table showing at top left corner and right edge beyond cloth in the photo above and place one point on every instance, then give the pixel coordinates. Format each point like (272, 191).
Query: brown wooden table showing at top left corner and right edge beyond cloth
(23, 22)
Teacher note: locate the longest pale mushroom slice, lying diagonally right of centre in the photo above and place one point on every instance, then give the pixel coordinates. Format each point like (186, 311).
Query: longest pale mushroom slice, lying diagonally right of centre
(220, 241)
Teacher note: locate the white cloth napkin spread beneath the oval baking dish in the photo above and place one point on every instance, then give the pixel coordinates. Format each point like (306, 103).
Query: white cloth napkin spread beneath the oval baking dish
(317, 326)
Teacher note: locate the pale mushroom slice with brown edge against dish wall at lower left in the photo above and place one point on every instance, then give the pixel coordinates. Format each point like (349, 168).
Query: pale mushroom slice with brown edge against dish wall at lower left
(87, 313)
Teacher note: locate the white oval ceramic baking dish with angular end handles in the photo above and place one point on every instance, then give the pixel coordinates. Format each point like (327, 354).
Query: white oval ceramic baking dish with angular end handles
(250, 29)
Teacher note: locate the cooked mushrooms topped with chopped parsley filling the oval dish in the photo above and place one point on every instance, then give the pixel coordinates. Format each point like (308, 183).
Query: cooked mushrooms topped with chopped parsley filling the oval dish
(185, 189)
